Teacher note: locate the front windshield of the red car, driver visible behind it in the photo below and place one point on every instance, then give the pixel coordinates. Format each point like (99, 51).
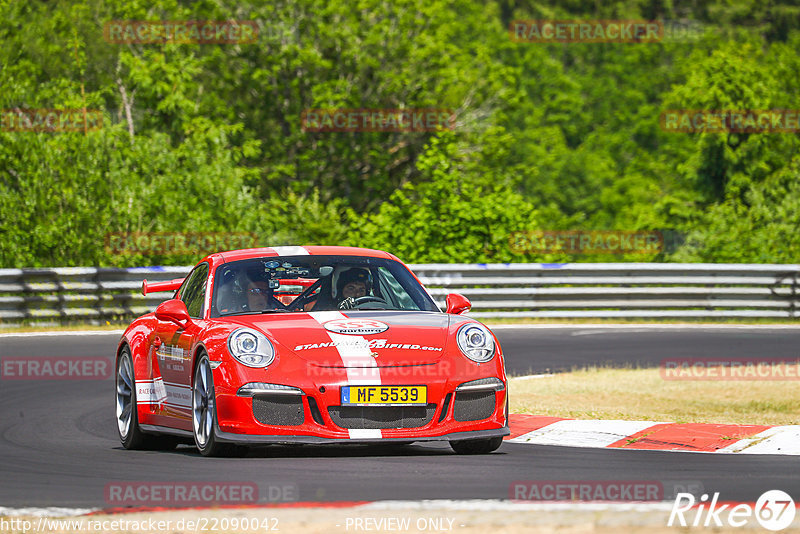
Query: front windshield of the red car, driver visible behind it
(287, 284)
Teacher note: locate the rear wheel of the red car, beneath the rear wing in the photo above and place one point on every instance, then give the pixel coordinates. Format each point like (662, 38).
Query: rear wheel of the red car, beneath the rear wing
(130, 435)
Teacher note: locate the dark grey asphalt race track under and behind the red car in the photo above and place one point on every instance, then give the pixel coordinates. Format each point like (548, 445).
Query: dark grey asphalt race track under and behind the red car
(58, 444)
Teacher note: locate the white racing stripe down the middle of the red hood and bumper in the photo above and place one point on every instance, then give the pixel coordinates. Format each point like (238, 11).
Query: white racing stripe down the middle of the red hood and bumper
(360, 367)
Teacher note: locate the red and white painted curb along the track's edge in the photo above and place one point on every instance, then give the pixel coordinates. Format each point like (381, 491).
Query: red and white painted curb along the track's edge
(653, 435)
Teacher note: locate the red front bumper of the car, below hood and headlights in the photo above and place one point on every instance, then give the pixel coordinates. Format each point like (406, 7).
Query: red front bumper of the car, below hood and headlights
(318, 416)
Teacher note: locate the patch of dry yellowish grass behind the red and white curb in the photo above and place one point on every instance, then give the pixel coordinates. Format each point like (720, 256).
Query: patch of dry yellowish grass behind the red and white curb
(642, 395)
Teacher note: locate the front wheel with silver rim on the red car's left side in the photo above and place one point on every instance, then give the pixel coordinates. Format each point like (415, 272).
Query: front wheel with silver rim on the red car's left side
(203, 407)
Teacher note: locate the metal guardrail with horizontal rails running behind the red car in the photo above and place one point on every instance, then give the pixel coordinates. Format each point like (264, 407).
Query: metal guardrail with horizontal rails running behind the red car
(590, 290)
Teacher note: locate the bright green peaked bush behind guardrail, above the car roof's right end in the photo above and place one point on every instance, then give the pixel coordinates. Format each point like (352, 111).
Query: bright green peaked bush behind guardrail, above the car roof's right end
(451, 216)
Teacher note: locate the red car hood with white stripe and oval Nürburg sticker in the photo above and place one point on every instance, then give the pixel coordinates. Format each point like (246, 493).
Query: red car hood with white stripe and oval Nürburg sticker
(389, 338)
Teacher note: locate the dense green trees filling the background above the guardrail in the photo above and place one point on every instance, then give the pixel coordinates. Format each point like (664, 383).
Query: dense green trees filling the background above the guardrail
(208, 138)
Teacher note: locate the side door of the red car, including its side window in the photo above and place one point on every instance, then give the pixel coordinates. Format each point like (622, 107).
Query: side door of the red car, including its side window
(171, 350)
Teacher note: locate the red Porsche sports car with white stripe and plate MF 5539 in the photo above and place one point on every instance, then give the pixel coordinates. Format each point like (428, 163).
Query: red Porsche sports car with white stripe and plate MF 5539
(307, 345)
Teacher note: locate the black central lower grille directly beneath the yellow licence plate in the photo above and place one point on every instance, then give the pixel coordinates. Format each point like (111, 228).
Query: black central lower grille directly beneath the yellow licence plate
(381, 416)
